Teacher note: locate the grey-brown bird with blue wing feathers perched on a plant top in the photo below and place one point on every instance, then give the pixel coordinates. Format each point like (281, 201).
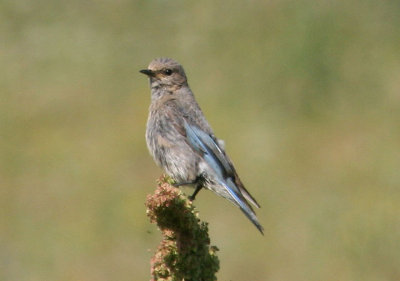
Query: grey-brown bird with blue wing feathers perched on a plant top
(182, 142)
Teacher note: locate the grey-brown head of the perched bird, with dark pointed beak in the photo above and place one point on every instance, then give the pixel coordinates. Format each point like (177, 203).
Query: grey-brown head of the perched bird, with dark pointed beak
(165, 72)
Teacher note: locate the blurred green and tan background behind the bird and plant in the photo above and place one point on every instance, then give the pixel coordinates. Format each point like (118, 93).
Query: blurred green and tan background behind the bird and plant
(306, 95)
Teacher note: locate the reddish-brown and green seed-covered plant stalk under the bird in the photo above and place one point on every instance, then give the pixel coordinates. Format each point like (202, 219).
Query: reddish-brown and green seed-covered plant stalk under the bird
(184, 252)
